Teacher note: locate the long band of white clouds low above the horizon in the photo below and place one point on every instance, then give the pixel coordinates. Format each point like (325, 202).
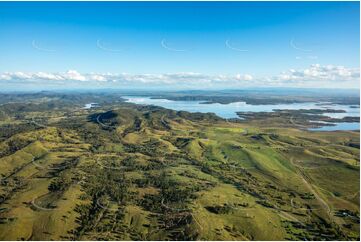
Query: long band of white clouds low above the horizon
(314, 76)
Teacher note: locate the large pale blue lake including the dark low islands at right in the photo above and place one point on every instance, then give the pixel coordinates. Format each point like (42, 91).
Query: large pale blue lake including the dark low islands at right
(341, 117)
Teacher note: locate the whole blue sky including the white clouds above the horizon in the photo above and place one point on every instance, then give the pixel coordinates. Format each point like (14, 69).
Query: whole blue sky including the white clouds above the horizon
(233, 44)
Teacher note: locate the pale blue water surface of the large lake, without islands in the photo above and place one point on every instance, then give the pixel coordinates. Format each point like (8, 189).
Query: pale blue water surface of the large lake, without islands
(229, 110)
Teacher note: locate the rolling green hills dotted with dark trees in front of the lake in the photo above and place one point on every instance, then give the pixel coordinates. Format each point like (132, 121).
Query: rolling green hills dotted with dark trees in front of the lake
(128, 172)
